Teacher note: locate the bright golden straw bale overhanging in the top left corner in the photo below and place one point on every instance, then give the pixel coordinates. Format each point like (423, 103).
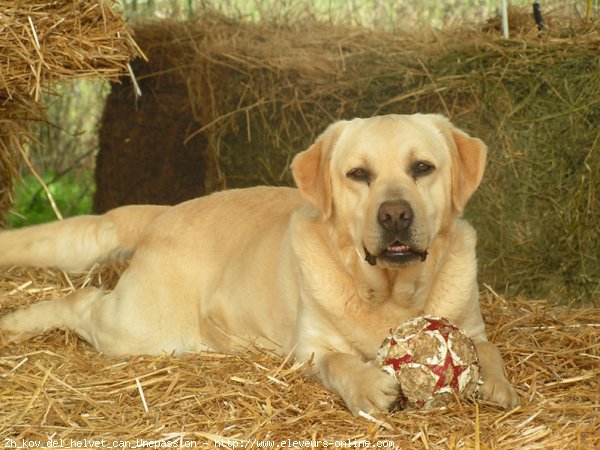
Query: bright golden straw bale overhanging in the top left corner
(47, 40)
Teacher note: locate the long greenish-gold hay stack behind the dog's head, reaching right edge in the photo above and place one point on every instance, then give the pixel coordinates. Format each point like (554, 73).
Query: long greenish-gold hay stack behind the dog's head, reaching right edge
(259, 93)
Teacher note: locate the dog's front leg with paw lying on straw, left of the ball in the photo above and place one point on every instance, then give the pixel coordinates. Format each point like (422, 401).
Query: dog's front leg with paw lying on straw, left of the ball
(363, 386)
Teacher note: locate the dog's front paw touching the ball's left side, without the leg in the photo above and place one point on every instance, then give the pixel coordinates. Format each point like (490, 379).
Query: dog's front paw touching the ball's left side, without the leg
(373, 391)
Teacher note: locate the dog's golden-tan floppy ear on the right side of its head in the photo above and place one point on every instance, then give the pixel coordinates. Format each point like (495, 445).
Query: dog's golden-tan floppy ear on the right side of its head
(468, 156)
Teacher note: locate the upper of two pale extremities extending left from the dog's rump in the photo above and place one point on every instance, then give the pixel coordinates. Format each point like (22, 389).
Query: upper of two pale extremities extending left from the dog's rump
(79, 242)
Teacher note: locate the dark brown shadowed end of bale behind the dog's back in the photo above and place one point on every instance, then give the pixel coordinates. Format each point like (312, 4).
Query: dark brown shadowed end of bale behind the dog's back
(140, 163)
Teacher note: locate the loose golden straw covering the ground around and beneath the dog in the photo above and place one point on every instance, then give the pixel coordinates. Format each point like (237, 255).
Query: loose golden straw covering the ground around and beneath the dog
(56, 387)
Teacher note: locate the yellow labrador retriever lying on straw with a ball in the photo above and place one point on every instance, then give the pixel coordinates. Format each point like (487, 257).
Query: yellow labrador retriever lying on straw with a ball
(371, 238)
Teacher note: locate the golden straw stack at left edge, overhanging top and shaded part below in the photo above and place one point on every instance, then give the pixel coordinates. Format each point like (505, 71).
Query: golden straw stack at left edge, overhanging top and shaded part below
(43, 42)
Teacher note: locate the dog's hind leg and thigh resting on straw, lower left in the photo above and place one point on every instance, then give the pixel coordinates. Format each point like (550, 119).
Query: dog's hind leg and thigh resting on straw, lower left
(130, 320)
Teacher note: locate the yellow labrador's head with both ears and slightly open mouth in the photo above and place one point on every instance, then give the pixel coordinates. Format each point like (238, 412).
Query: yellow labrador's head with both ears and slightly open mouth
(391, 184)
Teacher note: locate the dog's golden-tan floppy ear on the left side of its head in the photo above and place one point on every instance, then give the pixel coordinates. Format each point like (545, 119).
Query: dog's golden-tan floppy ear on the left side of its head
(311, 170)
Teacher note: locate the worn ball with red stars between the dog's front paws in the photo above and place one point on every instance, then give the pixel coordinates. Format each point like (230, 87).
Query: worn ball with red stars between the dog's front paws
(432, 360)
